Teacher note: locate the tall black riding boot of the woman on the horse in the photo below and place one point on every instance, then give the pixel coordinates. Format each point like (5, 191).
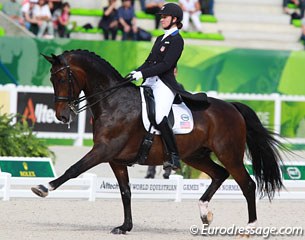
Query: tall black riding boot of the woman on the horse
(169, 140)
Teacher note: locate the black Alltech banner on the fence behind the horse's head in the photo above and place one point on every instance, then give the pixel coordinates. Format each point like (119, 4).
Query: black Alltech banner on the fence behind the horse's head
(37, 109)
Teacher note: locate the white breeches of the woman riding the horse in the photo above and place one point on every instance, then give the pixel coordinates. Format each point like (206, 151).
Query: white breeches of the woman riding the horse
(164, 97)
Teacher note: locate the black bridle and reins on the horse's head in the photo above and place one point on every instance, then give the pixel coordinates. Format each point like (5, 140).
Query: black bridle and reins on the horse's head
(73, 100)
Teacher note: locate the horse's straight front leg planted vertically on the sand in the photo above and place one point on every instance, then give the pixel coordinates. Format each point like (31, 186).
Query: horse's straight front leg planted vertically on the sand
(121, 174)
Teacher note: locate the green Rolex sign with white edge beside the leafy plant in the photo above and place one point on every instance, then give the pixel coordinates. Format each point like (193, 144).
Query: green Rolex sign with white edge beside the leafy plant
(27, 167)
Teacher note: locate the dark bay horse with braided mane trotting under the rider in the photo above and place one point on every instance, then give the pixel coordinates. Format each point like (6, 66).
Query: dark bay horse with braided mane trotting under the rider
(224, 129)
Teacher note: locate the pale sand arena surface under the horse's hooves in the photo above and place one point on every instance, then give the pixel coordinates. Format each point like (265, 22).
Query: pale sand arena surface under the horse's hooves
(48, 219)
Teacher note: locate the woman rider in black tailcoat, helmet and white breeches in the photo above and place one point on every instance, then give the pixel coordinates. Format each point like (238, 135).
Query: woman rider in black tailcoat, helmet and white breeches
(158, 73)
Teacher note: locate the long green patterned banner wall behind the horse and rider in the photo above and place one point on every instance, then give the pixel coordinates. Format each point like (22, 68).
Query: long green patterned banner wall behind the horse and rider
(200, 68)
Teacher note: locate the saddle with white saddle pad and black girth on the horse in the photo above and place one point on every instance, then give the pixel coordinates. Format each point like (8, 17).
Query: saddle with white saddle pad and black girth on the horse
(180, 117)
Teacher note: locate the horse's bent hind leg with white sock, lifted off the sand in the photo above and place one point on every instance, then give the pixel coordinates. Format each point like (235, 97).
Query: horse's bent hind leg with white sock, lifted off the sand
(218, 175)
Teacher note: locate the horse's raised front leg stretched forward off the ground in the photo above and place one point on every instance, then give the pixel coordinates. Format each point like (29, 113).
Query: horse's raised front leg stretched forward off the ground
(91, 159)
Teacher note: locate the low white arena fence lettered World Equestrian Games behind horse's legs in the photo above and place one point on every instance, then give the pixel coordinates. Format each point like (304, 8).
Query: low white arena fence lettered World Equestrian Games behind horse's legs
(91, 187)
